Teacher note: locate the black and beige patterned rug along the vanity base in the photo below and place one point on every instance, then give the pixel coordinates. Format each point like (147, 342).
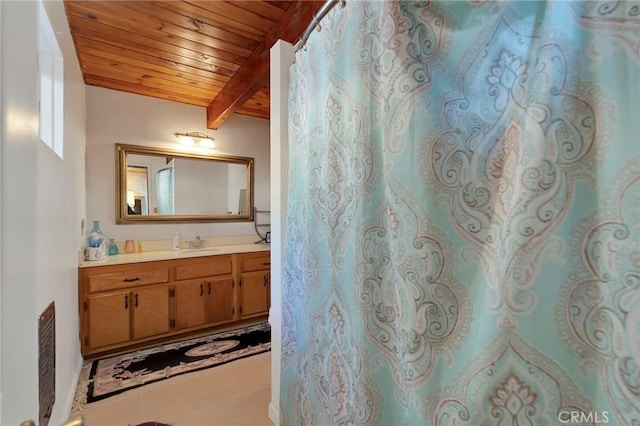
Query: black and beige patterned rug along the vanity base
(100, 379)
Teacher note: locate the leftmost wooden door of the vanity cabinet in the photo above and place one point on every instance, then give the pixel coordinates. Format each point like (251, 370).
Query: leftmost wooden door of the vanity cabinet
(109, 318)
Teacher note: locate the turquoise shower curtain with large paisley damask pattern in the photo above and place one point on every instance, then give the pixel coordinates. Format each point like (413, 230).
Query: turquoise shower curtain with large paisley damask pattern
(462, 244)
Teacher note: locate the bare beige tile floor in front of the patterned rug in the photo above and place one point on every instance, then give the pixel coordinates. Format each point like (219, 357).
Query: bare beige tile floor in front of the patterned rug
(234, 394)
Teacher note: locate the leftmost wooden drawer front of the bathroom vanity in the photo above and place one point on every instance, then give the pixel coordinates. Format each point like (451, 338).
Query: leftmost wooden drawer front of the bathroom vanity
(113, 280)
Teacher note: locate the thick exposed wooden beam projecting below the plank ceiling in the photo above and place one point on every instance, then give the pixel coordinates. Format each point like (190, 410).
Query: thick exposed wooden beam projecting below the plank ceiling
(253, 75)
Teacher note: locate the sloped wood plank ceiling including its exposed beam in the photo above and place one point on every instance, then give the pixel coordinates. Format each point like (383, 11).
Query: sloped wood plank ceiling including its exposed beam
(211, 53)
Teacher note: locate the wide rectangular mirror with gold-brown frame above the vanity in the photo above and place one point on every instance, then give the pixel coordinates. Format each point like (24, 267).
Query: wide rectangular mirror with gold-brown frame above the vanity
(156, 185)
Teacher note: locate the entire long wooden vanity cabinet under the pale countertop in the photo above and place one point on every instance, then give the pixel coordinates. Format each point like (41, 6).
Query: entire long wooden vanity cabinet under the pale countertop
(123, 307)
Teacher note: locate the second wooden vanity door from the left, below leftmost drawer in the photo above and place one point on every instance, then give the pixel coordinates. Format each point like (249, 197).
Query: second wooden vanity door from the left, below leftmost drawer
(150, 311)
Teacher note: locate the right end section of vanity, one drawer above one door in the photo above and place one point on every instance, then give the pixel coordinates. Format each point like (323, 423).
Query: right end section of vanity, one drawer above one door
(255, 284)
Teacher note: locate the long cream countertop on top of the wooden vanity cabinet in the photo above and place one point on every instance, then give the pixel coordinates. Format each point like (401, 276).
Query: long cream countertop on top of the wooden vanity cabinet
(151, 256)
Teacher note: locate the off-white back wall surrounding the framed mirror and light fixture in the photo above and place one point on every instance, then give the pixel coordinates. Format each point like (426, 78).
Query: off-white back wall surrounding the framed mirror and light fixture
(118, 117)
